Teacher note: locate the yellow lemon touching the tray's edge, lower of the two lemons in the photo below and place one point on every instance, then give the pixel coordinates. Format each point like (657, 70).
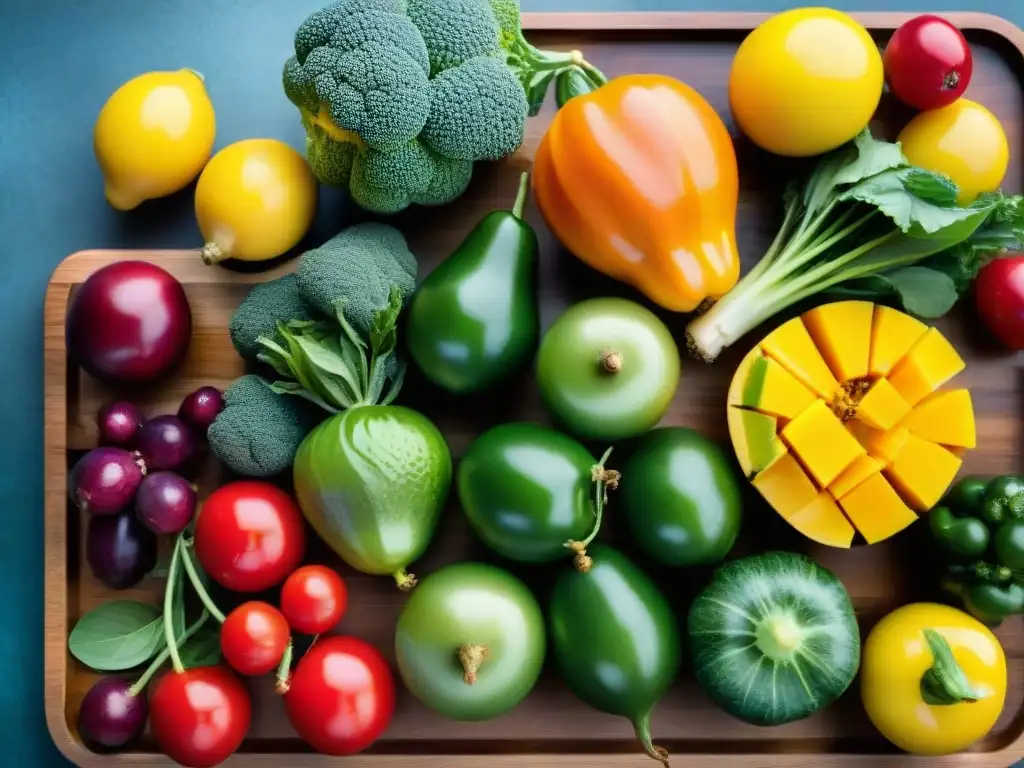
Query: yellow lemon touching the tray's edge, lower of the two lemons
(255, 201)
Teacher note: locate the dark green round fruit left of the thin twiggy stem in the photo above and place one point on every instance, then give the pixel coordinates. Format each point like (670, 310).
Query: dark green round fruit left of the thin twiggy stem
(528, 491)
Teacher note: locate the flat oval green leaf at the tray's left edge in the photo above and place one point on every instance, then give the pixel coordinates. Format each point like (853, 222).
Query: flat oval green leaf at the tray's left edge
(118, 635)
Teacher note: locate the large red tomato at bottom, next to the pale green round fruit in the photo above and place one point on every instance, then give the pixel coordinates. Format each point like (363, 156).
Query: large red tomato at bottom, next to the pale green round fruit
(343, 696)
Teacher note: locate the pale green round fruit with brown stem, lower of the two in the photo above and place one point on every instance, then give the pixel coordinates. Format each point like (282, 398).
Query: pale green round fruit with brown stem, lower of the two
(471, 643)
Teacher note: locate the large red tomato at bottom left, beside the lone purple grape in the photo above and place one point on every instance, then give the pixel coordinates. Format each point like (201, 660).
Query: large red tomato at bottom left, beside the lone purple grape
(201, 716)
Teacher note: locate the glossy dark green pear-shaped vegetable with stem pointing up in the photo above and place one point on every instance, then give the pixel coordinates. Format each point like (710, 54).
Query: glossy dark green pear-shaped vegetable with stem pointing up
(475, 320)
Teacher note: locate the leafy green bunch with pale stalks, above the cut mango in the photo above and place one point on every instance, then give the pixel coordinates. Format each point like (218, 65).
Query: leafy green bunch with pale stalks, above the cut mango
(867, 224)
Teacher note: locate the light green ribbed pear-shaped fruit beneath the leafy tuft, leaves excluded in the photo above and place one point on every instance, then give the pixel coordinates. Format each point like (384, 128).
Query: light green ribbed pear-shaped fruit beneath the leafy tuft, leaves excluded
(373, 482)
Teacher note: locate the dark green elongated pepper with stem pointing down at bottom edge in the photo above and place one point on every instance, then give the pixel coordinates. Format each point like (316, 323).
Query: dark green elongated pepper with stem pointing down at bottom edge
(615, 639)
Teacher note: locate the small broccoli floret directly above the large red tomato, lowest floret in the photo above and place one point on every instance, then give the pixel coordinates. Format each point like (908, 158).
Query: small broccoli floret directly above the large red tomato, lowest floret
(260, 432)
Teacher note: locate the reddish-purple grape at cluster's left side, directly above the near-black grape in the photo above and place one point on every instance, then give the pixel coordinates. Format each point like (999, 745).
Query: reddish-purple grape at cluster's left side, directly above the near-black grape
(105, 481)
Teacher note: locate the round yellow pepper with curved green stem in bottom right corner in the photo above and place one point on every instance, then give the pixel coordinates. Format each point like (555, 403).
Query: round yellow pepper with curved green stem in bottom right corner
(933, 679)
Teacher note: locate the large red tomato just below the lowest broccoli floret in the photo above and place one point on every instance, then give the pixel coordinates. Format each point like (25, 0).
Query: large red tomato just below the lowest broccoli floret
(249, 536)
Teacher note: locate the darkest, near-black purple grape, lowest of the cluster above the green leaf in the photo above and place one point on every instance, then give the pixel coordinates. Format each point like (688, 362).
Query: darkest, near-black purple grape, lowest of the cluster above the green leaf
(120, 550)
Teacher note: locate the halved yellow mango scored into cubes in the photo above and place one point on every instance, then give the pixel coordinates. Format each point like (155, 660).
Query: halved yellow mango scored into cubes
(839, 420)
